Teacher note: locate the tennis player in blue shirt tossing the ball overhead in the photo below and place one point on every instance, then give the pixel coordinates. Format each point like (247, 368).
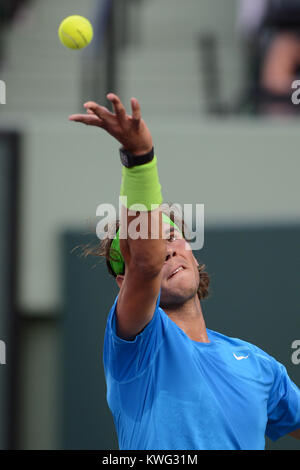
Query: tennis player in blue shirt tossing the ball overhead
(172, 383)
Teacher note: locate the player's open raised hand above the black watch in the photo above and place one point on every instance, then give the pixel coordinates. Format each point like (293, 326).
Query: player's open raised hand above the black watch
(130, 131)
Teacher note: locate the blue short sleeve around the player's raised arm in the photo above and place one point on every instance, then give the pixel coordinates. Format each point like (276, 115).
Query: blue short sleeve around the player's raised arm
(124, 360)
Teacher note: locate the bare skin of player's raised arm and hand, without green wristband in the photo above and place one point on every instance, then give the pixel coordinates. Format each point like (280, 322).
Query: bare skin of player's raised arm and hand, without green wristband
(144, 258)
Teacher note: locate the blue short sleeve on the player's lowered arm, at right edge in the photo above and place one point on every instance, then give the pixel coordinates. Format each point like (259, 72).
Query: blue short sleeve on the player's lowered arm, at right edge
(283, 405)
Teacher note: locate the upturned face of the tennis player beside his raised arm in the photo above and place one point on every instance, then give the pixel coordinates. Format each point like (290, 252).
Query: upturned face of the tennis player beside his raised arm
(180, 275)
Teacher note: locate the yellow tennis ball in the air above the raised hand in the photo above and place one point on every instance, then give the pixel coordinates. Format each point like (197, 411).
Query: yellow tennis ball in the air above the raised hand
(75, 32)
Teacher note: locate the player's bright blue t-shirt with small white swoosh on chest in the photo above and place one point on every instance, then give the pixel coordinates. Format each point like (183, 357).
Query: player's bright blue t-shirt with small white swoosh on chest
(168, 392)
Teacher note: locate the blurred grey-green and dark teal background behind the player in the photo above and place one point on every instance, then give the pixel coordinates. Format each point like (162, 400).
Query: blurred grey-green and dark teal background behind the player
(214, 81)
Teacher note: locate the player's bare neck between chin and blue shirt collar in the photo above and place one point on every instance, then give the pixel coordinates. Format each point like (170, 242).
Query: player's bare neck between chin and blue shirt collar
(189, 317)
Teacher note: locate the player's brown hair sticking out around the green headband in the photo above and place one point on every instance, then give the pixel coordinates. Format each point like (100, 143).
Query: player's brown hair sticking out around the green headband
(103, 249)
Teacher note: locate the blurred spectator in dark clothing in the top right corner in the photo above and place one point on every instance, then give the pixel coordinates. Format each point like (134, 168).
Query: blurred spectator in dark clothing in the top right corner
(271, 29)
